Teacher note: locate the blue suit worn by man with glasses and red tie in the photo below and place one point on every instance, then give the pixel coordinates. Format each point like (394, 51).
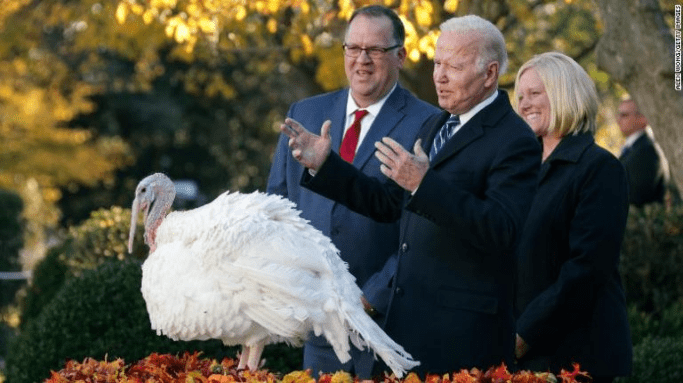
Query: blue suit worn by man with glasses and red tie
(363, 243)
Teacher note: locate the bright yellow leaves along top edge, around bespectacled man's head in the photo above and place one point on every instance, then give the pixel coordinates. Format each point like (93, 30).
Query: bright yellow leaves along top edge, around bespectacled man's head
(188, 21)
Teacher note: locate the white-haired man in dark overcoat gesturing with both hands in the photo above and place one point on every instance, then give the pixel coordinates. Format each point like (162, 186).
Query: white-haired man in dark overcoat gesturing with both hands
(461, 198)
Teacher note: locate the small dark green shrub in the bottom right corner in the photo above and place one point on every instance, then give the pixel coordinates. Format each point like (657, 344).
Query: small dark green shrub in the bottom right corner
(657, 360)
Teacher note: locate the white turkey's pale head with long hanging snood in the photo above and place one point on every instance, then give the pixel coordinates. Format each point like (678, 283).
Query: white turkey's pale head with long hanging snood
(154, 196)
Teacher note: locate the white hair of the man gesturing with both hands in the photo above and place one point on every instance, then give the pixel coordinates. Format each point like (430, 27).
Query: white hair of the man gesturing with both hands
(493, 48)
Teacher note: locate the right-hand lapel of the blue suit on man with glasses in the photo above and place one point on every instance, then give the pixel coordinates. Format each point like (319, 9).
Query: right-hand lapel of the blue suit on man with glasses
(386, 121)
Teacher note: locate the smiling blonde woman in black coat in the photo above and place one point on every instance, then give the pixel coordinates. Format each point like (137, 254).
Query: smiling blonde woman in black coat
(570, 302)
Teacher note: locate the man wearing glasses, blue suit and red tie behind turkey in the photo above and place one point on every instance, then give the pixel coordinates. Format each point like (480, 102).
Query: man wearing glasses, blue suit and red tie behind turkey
(373, 106)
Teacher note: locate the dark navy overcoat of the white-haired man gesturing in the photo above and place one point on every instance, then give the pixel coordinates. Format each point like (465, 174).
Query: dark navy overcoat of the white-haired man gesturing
(451, 302)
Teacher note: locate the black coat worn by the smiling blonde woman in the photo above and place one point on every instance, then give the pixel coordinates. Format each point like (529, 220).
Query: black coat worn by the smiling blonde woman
(570, 299)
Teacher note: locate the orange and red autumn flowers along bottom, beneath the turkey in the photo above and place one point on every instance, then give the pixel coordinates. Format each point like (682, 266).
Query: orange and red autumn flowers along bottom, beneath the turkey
(191, 368)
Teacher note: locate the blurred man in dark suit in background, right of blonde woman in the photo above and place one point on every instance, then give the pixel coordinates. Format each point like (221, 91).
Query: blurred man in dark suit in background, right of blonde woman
(646, 167)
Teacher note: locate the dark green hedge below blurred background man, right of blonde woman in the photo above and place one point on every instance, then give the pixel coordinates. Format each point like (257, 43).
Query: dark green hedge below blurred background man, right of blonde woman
(652, 255)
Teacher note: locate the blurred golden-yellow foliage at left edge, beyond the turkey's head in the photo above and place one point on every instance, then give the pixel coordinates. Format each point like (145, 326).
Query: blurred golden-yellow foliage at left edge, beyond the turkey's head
(37, 99)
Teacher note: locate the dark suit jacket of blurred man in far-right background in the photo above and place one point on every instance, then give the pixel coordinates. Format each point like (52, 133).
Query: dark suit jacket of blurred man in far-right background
(647, 171)
